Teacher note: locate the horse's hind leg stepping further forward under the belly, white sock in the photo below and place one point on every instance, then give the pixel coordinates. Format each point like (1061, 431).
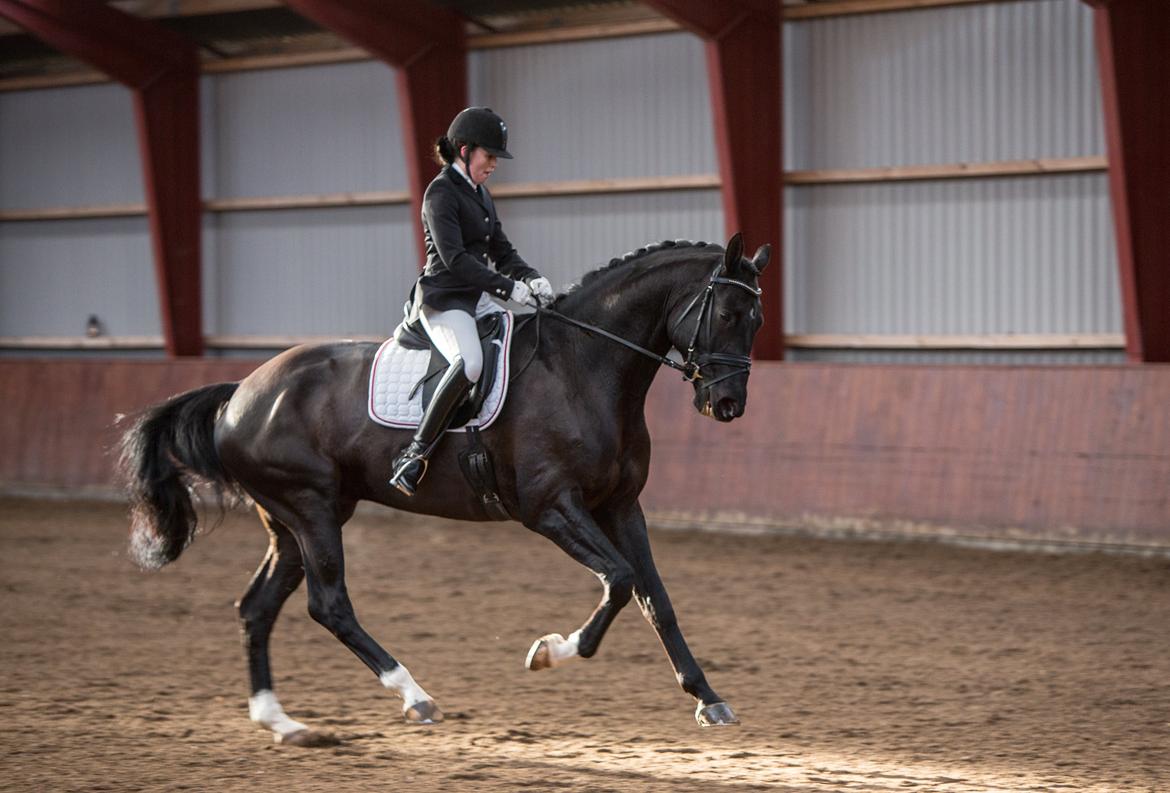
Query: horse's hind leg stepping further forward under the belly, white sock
(319, 534)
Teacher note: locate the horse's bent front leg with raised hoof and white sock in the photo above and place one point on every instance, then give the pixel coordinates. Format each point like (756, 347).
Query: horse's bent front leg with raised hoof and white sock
(570, 526)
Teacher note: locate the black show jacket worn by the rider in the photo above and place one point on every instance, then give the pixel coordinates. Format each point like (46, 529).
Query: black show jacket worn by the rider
(464, 237)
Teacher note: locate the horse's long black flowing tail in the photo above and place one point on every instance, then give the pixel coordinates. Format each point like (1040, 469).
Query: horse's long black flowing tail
(168, 446)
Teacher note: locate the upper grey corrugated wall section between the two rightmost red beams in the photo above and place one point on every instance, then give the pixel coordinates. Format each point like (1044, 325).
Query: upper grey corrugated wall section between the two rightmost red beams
(969, 84)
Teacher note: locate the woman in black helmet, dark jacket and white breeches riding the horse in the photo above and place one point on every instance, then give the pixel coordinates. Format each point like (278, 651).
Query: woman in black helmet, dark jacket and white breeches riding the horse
(463, 238)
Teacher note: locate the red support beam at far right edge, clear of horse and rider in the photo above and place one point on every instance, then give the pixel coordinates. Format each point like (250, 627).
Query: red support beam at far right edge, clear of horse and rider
(1133, 44)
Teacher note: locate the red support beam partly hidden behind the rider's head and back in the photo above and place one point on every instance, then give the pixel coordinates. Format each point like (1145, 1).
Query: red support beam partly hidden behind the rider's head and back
(428, 47)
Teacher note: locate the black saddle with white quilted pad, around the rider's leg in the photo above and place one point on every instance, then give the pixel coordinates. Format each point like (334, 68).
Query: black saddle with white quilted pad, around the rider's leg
(408, 369)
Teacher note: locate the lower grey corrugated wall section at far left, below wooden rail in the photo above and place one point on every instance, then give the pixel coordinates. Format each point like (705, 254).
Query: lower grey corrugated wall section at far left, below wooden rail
(53, 277)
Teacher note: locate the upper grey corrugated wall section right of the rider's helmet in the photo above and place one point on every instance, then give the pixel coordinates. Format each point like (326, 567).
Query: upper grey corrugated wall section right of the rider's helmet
(634, 107)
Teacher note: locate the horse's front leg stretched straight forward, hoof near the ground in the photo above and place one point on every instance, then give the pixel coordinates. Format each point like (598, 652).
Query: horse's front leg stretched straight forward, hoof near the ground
(628, 527)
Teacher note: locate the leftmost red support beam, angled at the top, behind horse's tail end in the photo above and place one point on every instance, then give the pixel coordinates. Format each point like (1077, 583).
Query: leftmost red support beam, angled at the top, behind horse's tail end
(162, 70)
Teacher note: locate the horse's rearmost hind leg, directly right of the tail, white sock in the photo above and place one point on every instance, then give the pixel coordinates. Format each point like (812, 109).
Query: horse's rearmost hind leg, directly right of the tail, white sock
(278, 577)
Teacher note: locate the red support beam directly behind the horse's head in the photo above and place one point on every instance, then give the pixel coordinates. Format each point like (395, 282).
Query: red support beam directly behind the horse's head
(744, 65)
